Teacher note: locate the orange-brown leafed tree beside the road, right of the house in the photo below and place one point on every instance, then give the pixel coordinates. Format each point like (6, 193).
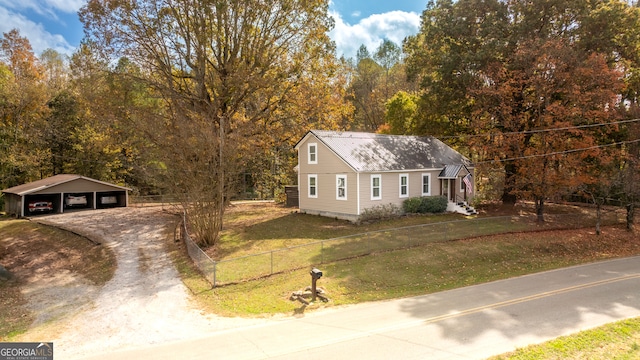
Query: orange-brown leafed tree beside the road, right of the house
(548, 86)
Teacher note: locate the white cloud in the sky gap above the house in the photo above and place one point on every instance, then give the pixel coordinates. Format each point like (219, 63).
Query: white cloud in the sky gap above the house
(370, 31)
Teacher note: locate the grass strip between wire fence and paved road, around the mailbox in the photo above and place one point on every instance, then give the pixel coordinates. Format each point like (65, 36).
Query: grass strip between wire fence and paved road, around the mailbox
(423, 269)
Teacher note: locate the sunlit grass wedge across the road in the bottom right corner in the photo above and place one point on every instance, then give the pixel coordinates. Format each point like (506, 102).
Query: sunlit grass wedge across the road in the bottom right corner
(619, 340)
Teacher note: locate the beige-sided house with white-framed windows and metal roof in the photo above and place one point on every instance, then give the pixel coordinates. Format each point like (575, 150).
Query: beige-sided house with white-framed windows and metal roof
(340, 174)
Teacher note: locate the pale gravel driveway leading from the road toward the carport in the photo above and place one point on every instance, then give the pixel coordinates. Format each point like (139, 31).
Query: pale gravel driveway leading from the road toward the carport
(145, 303)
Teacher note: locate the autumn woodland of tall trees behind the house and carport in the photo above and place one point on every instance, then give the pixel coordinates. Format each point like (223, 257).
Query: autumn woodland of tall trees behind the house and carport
(204, 100)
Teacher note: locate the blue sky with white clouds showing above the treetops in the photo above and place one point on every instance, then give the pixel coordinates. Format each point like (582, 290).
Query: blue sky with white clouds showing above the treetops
(54, 23)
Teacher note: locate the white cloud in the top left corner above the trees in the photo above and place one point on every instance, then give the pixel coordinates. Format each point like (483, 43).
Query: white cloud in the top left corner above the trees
(39, 38)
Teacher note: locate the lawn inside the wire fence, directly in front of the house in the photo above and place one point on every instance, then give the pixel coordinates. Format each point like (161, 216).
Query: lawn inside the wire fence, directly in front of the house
(254, 250)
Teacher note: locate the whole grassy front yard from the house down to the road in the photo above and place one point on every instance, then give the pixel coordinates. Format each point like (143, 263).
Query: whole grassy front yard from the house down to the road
(419, 259)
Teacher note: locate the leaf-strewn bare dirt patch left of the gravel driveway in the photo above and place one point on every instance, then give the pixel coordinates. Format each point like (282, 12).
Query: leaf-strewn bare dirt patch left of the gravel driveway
(52, 273)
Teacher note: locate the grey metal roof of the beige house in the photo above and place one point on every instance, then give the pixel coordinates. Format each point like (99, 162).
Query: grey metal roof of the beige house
(368, 152)
